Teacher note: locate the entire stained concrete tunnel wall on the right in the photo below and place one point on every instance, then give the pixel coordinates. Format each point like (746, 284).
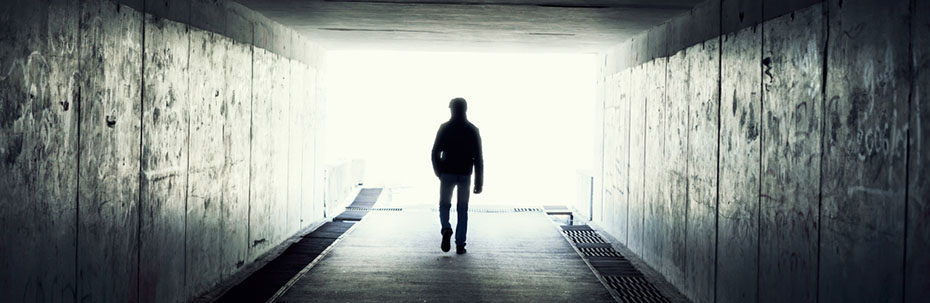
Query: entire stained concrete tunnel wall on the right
(774, 151)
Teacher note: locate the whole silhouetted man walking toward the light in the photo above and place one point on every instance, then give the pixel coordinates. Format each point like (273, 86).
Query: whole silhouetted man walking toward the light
(456, 150)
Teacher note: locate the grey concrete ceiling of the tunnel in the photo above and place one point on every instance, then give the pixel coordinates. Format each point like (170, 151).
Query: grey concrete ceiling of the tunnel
(470, 25)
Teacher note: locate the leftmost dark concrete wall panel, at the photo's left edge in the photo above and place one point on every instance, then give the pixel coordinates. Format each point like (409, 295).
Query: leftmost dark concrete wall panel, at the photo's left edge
(38, 150)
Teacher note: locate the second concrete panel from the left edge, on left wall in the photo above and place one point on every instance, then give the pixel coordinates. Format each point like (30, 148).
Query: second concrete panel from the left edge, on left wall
(111, 125)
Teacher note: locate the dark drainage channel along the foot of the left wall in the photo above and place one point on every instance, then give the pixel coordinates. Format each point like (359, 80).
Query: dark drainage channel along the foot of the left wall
(269, 282)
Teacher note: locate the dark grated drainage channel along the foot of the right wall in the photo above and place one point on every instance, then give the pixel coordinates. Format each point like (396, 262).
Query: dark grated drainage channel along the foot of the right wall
(625, 281)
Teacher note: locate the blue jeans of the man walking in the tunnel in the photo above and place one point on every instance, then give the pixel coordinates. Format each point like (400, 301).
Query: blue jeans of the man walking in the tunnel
(447, 182)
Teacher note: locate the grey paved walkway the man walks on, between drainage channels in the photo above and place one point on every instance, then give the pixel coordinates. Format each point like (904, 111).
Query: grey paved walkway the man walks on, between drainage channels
(394, 257)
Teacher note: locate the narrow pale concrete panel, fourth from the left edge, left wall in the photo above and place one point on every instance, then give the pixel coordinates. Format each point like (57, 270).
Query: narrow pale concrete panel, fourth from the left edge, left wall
(207, 97)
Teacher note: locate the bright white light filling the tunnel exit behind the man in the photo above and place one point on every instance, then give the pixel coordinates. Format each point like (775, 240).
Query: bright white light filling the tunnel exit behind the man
(535, 113)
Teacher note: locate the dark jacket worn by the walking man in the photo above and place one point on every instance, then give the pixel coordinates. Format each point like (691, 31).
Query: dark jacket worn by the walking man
(457, 148)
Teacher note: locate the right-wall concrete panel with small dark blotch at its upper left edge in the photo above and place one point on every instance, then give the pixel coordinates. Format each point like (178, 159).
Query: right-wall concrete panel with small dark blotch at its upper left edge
(792, 124)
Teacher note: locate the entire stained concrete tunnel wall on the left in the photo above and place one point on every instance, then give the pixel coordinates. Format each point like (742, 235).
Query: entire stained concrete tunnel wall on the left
(150, 149)
